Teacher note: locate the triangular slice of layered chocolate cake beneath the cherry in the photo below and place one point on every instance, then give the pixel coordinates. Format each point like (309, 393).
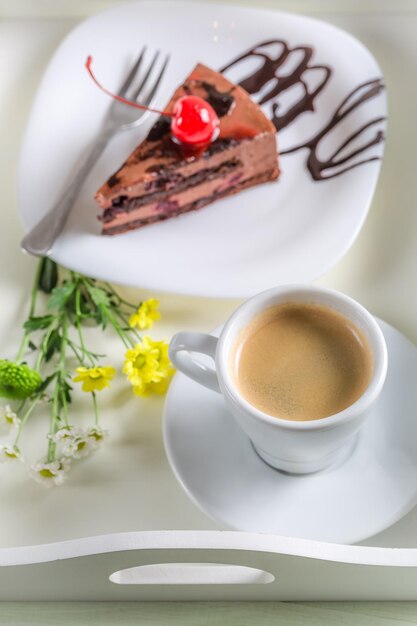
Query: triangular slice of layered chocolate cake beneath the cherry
(160, 179)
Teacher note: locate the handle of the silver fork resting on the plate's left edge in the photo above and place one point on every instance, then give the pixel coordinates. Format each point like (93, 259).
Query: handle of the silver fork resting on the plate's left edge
(40, 239)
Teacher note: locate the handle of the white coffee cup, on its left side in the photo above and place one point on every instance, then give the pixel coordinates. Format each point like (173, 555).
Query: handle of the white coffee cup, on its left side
(179, 352)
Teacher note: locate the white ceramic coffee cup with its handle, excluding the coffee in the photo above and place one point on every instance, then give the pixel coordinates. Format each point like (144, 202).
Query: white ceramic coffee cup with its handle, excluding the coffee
(293, 446)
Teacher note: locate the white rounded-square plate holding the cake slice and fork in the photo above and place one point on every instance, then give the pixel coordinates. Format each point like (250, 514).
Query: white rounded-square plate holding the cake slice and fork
(289, 231)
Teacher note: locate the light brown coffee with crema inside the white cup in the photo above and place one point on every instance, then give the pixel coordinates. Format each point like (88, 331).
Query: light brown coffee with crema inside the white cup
(301, 362)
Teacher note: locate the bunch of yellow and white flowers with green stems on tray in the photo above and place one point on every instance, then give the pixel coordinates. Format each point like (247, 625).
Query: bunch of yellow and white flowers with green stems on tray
(54, 358)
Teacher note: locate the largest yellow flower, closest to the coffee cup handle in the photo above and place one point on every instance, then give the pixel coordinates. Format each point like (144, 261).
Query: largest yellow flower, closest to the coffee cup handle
(148, 367)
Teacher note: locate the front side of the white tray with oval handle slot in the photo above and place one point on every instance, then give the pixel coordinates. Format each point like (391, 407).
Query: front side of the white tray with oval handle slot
(179, 565)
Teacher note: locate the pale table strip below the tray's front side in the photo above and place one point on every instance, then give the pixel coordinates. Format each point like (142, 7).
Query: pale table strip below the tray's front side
(209, 614)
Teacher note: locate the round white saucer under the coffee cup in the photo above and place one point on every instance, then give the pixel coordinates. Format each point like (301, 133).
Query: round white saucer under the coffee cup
(215, 463)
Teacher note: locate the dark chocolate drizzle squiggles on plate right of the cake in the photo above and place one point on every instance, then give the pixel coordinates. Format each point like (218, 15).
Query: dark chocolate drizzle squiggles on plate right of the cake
(271, 80)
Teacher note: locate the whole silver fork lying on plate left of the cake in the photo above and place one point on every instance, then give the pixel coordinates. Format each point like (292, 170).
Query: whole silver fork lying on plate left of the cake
(40, 239)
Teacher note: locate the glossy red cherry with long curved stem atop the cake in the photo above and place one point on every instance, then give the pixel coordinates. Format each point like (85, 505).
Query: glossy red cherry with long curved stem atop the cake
(194, 121)
